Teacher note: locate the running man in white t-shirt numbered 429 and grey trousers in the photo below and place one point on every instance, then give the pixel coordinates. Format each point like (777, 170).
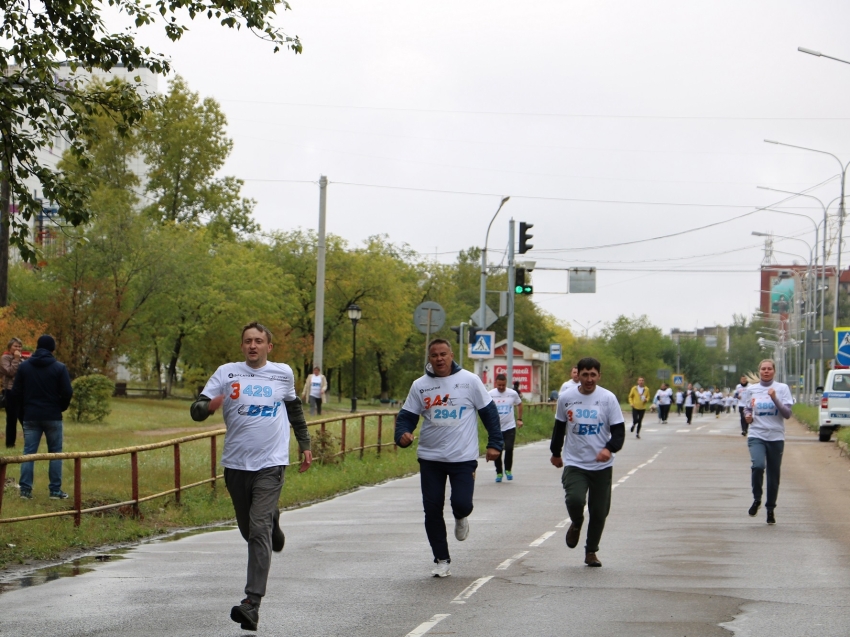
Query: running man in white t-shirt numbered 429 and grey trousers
(260, 403)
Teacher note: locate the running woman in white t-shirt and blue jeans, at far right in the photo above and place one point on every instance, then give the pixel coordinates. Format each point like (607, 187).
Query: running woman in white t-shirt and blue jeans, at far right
(767, 405)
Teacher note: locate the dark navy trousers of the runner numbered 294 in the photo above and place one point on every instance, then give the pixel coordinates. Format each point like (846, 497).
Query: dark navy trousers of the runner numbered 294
(433, 475)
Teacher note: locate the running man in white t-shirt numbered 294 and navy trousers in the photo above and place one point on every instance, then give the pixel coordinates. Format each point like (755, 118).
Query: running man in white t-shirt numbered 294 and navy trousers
(450, 399)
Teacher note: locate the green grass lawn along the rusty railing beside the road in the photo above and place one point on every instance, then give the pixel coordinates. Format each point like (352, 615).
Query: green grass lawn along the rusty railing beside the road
(140, 421)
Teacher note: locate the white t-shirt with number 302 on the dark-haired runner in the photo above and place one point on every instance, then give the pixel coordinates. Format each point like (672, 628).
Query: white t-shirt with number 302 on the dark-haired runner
(589, 419)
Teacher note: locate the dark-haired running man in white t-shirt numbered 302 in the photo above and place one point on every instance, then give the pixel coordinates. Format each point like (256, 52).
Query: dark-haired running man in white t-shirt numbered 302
(595, 430)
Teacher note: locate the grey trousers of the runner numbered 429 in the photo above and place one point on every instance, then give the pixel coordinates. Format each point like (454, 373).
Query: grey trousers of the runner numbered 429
(255, 495)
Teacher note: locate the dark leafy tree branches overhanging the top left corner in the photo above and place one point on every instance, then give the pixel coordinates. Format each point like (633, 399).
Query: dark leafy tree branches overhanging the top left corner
(36, 109)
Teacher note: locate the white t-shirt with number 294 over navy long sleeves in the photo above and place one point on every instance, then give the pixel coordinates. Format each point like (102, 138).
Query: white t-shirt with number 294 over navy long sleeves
(449, 405)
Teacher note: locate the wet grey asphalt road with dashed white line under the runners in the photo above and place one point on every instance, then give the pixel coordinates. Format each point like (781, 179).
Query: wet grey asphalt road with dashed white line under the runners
(680, 556)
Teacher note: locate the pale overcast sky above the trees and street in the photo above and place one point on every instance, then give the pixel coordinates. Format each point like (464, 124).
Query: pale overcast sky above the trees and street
(605, 122)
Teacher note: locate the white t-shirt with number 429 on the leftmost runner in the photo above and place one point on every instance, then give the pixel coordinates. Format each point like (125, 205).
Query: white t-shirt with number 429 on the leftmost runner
(254, 414)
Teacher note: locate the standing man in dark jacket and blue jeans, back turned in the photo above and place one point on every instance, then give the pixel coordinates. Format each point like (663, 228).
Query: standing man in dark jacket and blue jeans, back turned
(43, 391)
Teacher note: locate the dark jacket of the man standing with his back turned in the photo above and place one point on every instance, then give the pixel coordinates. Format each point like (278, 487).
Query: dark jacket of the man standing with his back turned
(42, 387)
